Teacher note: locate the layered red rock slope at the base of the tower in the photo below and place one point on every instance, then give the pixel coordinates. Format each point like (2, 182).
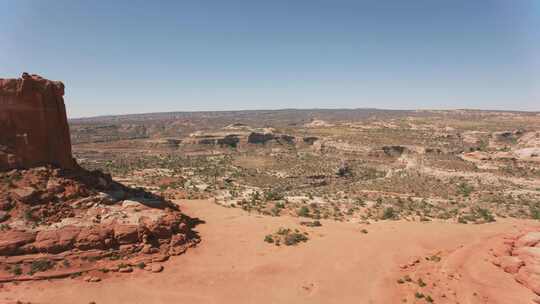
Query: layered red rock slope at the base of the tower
(72, 221)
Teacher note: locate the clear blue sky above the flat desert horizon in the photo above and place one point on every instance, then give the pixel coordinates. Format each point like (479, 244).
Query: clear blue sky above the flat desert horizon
(152, 56)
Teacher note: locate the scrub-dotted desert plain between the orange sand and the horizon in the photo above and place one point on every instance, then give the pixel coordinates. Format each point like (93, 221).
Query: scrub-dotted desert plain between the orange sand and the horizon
(355, 171)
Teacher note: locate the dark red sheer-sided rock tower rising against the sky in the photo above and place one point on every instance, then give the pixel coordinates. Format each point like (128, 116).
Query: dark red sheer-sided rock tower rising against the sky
(33, 124)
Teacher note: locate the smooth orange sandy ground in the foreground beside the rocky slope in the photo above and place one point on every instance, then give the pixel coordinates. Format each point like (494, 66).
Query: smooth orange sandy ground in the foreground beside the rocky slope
(339, 264)
